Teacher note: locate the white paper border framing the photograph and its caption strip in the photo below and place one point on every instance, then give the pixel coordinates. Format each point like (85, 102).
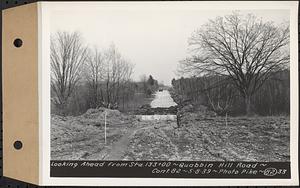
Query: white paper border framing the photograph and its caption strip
(44, 15)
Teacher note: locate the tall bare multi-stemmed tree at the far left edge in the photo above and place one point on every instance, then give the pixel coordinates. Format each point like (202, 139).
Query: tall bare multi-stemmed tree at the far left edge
(68, 54)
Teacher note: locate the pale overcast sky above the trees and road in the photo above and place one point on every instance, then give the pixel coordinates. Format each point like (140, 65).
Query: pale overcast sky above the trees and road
(154, 40)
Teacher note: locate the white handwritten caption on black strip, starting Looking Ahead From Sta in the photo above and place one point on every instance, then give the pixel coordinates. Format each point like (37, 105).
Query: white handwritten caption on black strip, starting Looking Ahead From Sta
(213, 169)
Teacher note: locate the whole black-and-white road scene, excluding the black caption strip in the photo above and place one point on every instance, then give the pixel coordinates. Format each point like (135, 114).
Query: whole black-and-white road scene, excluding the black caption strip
(170, 84)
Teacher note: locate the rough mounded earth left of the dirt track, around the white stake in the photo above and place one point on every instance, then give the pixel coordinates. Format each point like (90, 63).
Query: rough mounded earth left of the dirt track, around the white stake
(75, 137)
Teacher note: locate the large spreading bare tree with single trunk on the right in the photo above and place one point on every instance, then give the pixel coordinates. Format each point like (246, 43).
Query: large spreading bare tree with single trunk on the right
(243, 48)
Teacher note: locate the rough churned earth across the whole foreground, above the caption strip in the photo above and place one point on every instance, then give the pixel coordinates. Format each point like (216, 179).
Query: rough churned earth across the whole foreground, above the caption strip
(203, 139)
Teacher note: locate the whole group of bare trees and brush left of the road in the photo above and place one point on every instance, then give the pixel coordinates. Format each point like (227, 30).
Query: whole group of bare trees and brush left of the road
(83, 78)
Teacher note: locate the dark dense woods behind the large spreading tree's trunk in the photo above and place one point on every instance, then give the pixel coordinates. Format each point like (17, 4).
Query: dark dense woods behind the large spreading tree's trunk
(221, 96)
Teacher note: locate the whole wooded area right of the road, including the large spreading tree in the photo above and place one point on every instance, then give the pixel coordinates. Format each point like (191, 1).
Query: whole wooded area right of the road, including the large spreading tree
(240, 64)
